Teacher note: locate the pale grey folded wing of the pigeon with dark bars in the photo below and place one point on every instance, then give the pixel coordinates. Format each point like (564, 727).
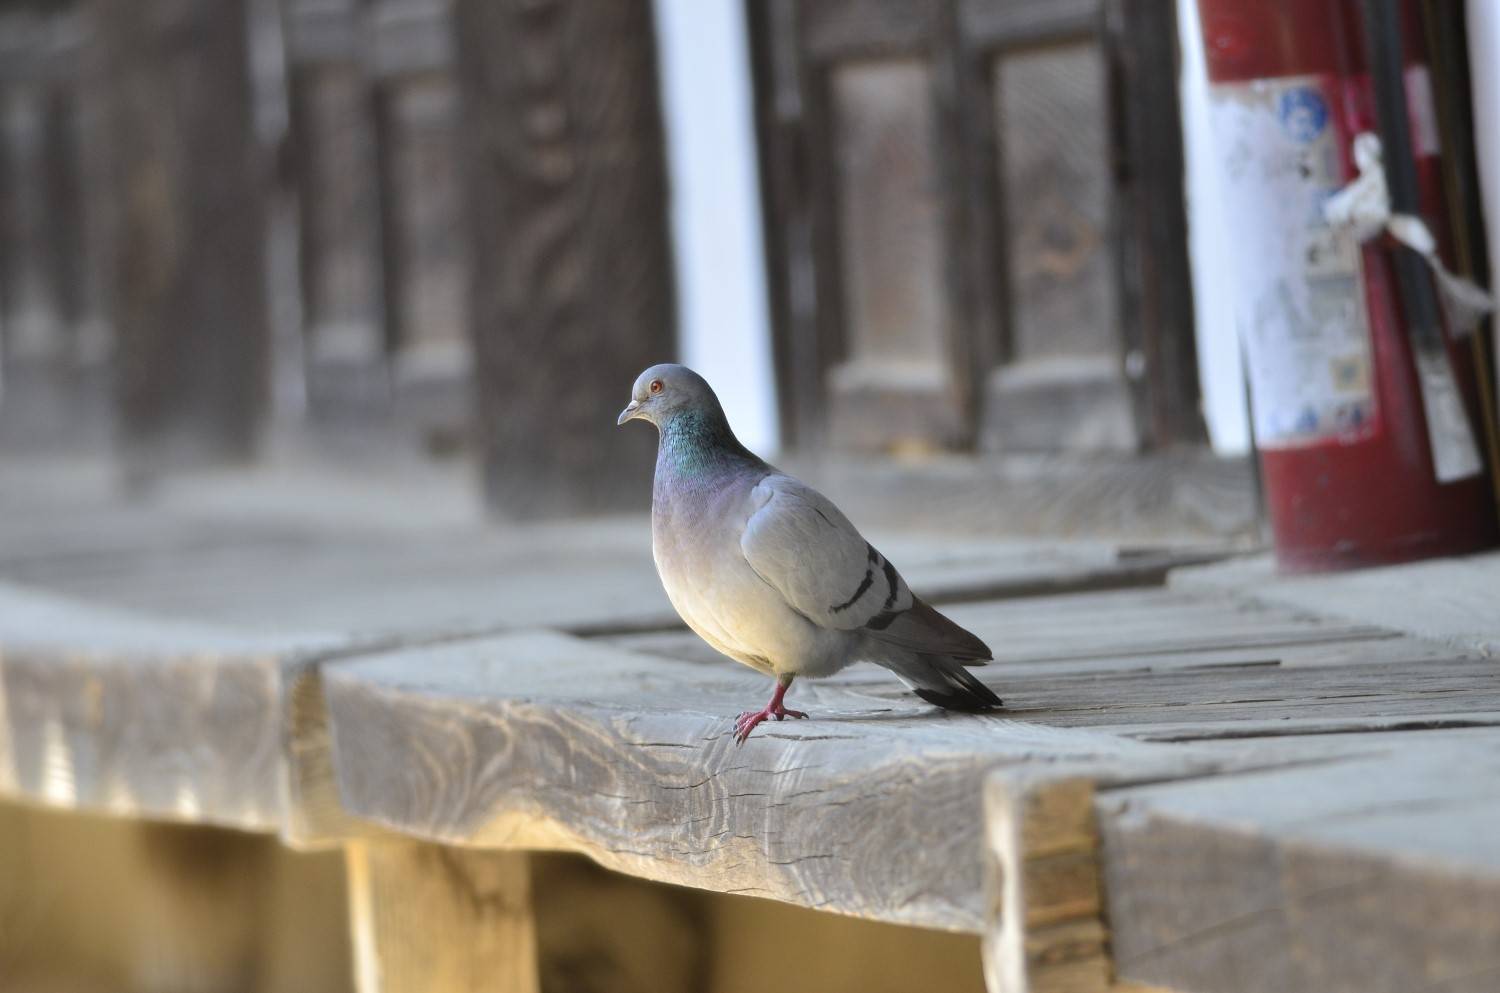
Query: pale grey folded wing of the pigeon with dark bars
(809, 553)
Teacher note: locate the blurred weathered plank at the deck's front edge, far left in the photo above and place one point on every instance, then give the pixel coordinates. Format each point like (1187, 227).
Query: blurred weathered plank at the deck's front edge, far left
(140, 716)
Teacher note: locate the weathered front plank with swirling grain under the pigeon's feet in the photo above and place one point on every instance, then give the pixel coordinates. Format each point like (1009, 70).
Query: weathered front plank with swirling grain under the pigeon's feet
(547, 742)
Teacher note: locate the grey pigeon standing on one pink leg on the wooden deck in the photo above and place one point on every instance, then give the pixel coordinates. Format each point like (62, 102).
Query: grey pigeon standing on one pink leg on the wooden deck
(769, 572)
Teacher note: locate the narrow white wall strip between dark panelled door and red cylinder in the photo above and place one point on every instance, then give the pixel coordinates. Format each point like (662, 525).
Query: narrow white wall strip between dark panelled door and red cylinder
(1220, 368)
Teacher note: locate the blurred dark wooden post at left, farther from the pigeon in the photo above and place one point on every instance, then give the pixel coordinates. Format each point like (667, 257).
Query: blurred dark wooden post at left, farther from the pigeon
(191, 223)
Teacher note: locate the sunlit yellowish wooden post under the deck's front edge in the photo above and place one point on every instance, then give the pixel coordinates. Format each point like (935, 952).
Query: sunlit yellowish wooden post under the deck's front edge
(439, 920)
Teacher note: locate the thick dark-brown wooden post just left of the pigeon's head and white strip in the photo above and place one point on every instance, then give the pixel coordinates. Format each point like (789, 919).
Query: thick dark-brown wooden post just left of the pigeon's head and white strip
(572, 263)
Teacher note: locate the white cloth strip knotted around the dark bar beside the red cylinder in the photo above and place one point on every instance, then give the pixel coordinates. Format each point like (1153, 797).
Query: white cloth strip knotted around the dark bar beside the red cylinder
(1364, 211)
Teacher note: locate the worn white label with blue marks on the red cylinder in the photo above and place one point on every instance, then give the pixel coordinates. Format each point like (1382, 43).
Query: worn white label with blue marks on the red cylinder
(1300, 293)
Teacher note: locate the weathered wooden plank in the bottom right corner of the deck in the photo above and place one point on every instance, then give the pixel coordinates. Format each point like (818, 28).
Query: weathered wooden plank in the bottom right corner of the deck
(1372, 875)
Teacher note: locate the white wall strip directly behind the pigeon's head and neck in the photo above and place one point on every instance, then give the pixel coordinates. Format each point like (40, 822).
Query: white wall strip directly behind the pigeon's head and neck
(724, 326)
